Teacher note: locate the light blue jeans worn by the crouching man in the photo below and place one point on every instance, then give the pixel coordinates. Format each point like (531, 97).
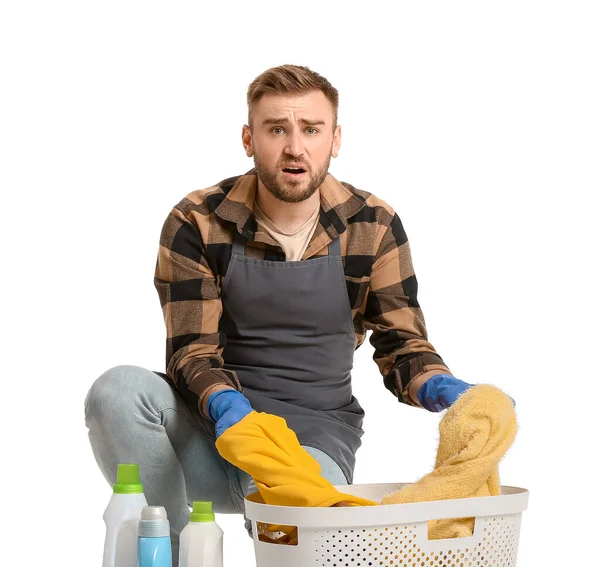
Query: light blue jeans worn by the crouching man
(135, 416)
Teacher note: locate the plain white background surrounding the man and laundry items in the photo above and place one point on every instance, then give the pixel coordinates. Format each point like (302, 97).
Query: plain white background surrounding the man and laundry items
(477, 121)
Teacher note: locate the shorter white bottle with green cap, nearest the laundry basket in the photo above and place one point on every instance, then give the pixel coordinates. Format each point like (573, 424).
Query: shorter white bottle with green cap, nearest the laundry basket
(201, 541)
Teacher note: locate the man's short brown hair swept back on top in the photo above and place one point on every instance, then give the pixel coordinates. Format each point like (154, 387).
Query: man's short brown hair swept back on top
(290, 79)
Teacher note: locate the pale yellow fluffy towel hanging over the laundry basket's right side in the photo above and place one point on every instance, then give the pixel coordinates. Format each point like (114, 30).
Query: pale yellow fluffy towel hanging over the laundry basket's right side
(475, 434)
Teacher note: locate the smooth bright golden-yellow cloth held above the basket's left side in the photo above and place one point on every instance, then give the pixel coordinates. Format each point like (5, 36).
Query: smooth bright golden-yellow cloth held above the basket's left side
(262, 445)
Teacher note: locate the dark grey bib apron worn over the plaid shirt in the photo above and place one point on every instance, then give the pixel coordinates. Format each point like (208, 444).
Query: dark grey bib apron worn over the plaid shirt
(290, 339)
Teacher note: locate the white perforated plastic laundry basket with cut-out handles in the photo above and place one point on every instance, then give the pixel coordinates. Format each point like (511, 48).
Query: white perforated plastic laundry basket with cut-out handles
(392, 535)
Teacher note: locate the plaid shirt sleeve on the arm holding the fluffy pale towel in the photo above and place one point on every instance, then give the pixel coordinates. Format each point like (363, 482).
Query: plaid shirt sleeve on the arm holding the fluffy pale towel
(406, 359)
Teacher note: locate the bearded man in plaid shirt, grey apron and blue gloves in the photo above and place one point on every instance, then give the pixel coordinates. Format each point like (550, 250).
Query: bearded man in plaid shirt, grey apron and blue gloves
(268, 283)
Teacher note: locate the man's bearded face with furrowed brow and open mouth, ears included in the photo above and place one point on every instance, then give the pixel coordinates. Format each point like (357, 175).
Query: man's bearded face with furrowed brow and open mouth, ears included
(289, 132)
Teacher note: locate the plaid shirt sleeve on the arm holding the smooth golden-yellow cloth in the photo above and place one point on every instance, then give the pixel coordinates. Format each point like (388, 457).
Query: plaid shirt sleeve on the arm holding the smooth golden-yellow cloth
(191, 306)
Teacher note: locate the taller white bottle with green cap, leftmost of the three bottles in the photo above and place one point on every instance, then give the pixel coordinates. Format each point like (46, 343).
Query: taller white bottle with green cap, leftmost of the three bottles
(122, 516)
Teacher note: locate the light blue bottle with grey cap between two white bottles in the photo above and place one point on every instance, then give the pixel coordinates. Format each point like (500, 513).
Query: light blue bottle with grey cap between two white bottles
(154, 539)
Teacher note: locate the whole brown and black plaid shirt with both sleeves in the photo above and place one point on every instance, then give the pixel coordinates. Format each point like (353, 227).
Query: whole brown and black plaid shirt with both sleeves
(194, 253)
